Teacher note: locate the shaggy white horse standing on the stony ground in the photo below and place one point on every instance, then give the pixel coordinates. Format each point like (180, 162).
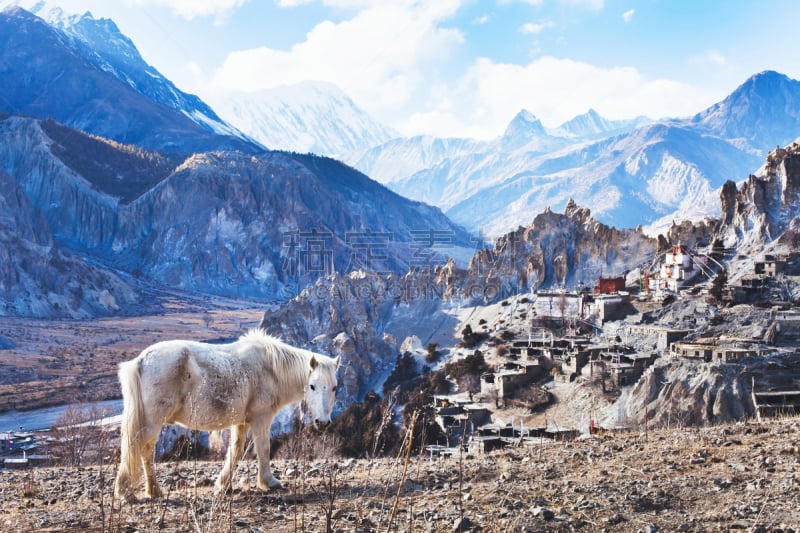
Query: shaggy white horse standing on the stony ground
(212, 387)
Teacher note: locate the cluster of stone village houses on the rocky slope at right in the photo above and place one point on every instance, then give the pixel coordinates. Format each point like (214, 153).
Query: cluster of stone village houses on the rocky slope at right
(560, 337)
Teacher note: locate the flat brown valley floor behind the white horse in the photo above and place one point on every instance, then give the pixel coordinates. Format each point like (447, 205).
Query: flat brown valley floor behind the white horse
(55, 362)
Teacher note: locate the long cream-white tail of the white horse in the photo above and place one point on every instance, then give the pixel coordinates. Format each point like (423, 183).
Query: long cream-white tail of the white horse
(133, 420)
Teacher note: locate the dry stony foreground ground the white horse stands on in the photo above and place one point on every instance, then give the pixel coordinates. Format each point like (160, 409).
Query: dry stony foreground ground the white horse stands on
(744, 476)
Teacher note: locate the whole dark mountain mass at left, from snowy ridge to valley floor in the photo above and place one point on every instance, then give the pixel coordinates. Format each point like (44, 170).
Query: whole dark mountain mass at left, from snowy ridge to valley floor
(106, 164)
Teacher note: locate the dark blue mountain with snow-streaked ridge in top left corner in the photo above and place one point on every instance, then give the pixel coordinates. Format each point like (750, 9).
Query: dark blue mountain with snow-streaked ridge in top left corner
(70, 67)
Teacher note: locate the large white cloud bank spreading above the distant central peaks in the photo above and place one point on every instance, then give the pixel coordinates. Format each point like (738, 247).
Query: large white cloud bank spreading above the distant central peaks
(387, 57)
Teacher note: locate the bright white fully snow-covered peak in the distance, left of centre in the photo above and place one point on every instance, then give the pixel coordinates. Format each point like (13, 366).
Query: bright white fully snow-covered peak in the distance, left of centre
(314, 117)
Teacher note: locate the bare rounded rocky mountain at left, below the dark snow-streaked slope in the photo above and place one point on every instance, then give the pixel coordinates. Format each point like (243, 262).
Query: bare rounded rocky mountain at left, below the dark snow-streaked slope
(256, 226)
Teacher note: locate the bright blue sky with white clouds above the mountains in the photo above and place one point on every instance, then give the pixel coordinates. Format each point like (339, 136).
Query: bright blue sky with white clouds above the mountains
(466, 67)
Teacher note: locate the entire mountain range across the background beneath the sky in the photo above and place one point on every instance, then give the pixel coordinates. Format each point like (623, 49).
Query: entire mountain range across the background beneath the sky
(111, 181)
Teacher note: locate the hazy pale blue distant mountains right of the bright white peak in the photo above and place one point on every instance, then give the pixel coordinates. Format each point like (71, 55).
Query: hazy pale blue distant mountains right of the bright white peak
(629, 172)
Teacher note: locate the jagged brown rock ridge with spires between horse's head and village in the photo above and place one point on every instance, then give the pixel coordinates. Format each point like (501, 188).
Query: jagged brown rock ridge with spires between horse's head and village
(365, 317)
